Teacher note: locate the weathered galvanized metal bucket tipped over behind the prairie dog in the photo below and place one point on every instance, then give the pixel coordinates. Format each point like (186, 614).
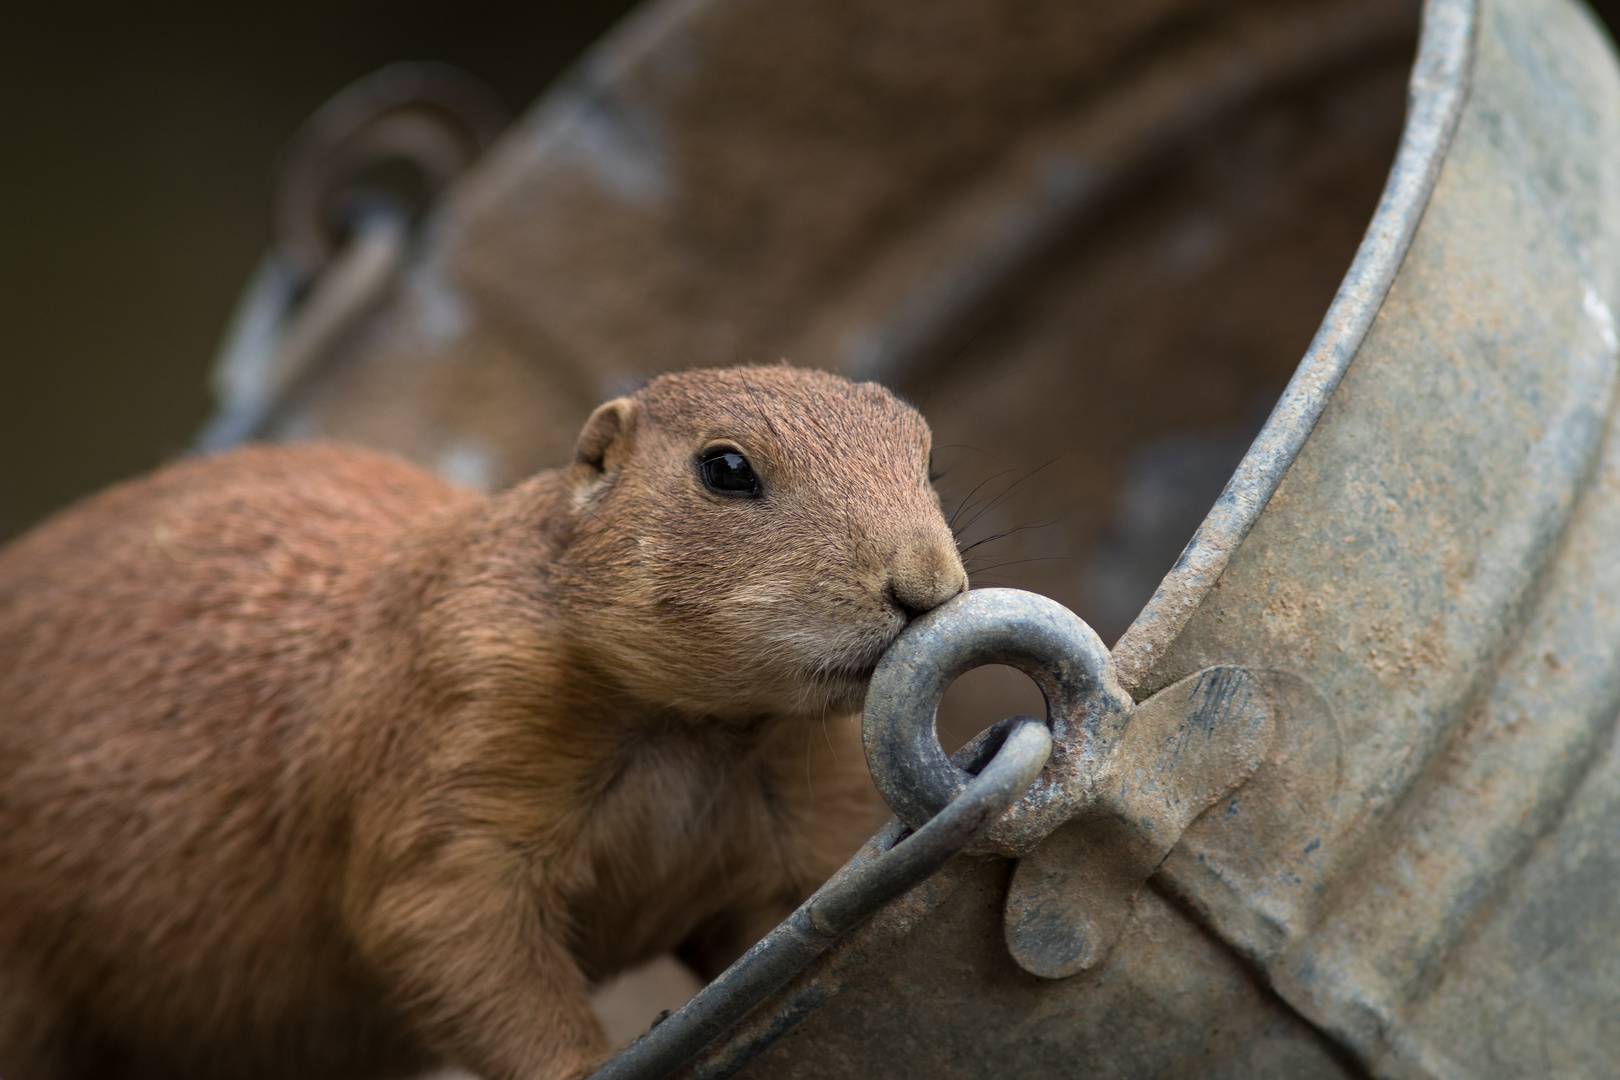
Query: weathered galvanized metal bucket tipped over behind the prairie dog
(1099, 234)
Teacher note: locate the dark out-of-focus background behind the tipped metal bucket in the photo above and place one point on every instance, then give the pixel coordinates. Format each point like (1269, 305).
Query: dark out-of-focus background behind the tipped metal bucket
(137, 153)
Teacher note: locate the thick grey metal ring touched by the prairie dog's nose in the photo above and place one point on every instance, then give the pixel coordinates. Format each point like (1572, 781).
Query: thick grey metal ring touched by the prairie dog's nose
(1086, 708)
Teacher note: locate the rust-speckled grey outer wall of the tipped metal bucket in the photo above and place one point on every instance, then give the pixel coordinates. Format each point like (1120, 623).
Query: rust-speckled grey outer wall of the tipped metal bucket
(1436, 571)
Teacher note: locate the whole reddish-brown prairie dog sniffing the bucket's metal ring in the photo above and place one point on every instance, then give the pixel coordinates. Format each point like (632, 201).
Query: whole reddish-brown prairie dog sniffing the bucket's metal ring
(317, 767)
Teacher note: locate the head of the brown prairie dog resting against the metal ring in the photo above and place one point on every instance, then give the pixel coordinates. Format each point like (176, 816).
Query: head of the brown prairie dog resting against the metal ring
(752, 540)
